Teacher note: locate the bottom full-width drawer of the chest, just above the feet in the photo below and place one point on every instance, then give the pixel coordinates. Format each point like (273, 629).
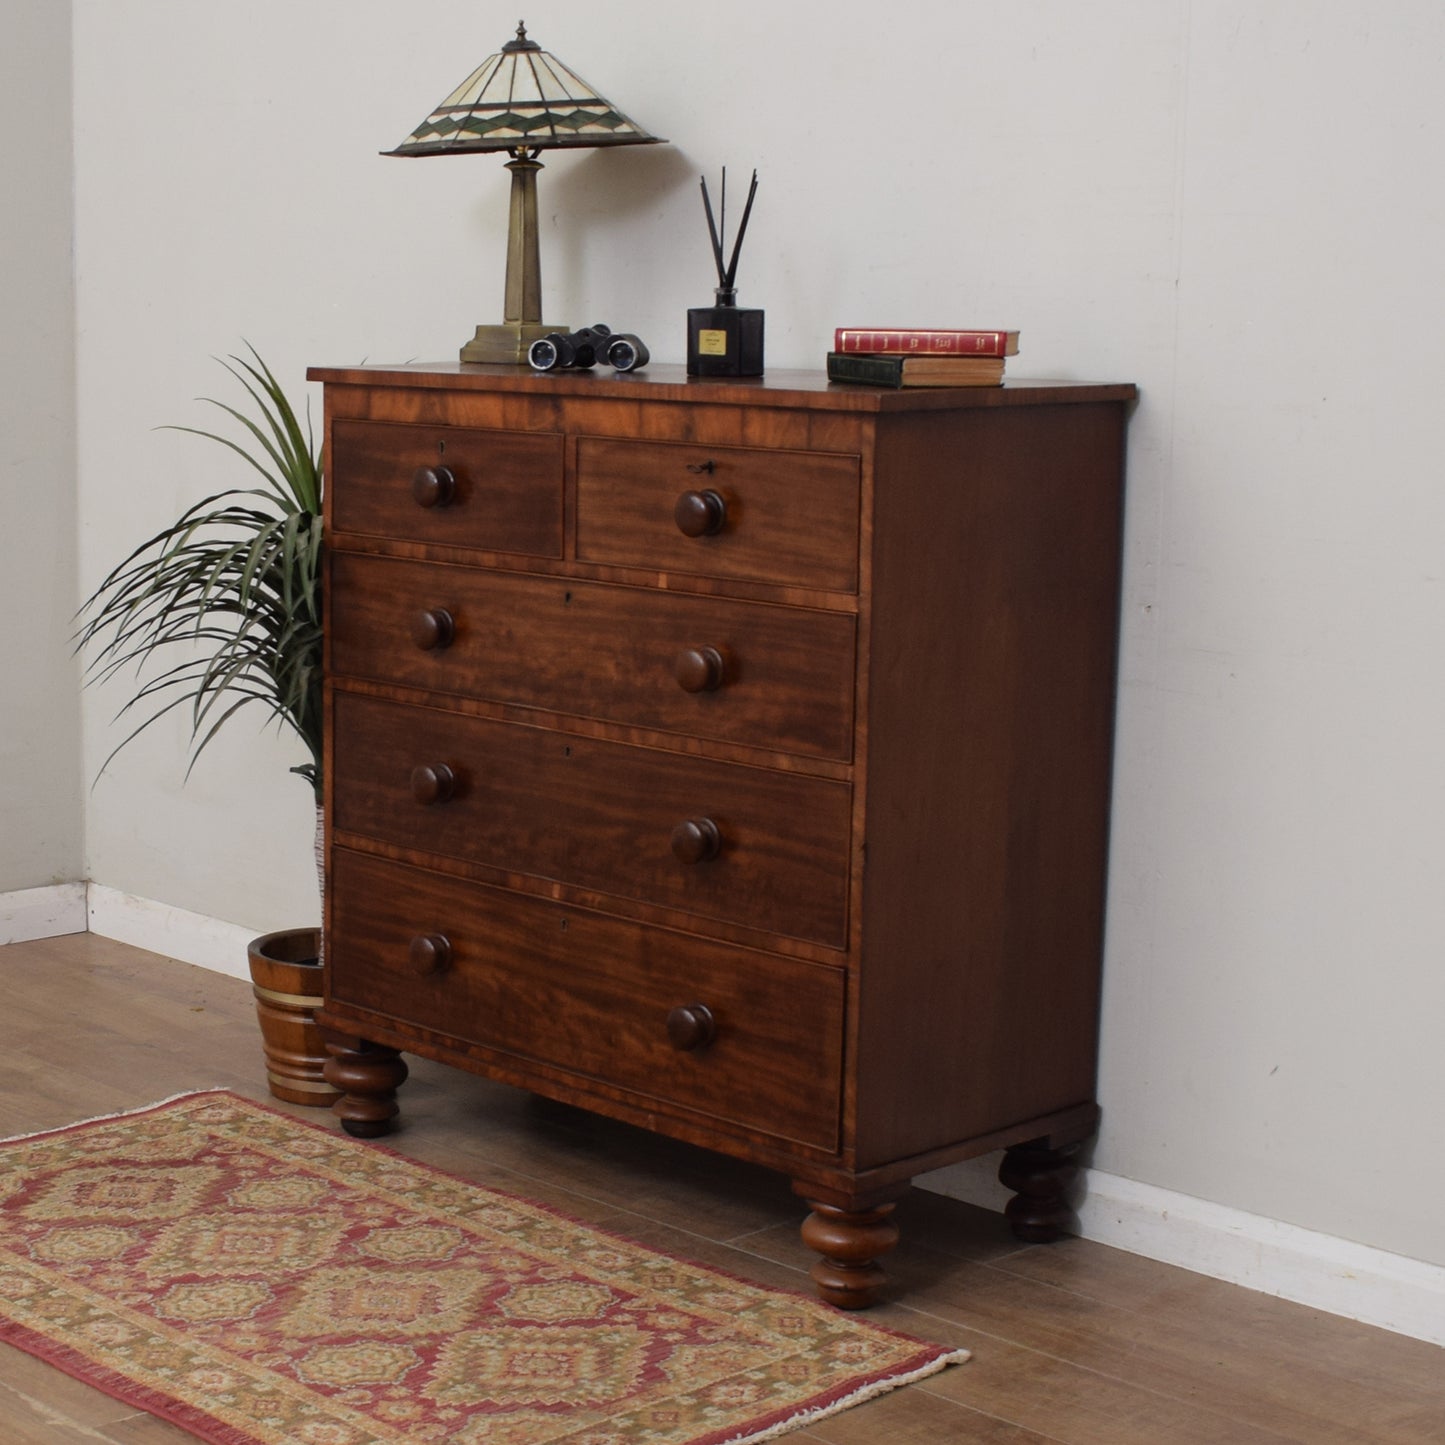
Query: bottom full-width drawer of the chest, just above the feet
(592, 995)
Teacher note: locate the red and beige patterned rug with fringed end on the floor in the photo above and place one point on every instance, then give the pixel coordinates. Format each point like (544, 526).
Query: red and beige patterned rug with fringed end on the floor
(264, 1281)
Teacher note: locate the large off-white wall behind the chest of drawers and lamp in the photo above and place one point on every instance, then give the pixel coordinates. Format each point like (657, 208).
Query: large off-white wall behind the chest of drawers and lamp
(1233, 204)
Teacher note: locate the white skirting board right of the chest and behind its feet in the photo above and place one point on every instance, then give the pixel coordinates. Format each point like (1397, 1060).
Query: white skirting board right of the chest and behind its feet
(1356, 1281)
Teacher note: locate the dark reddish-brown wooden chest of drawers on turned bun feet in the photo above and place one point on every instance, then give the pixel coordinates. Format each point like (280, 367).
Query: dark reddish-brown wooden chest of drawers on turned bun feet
(732, 758)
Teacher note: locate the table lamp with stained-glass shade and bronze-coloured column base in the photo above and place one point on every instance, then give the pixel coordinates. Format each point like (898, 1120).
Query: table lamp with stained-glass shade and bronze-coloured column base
(524, 102)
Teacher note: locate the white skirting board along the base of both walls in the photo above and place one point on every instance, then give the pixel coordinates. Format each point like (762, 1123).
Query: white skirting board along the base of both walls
(1210, 1239)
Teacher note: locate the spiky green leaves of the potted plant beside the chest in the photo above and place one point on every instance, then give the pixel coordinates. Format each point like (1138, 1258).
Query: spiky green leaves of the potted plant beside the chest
(232, 589)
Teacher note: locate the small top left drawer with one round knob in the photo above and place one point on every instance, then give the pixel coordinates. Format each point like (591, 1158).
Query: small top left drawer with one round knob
(499, 492)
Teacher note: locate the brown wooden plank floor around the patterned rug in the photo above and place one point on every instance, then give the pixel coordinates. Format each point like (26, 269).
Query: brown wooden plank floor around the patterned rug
(1074, 1342)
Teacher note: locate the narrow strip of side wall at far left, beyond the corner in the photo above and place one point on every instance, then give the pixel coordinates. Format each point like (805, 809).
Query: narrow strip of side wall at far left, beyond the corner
(41, 807)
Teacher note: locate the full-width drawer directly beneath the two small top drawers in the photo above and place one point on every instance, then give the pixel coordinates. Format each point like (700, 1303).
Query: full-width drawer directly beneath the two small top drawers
(745, 673)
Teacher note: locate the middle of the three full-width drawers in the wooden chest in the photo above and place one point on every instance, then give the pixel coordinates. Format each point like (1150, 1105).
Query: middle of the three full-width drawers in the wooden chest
(756, 847)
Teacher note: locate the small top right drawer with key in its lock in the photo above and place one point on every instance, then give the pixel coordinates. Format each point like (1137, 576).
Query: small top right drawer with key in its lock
(762, 517)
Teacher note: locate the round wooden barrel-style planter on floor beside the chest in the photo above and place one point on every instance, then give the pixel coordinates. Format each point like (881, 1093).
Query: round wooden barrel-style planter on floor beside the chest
(287, 980)
